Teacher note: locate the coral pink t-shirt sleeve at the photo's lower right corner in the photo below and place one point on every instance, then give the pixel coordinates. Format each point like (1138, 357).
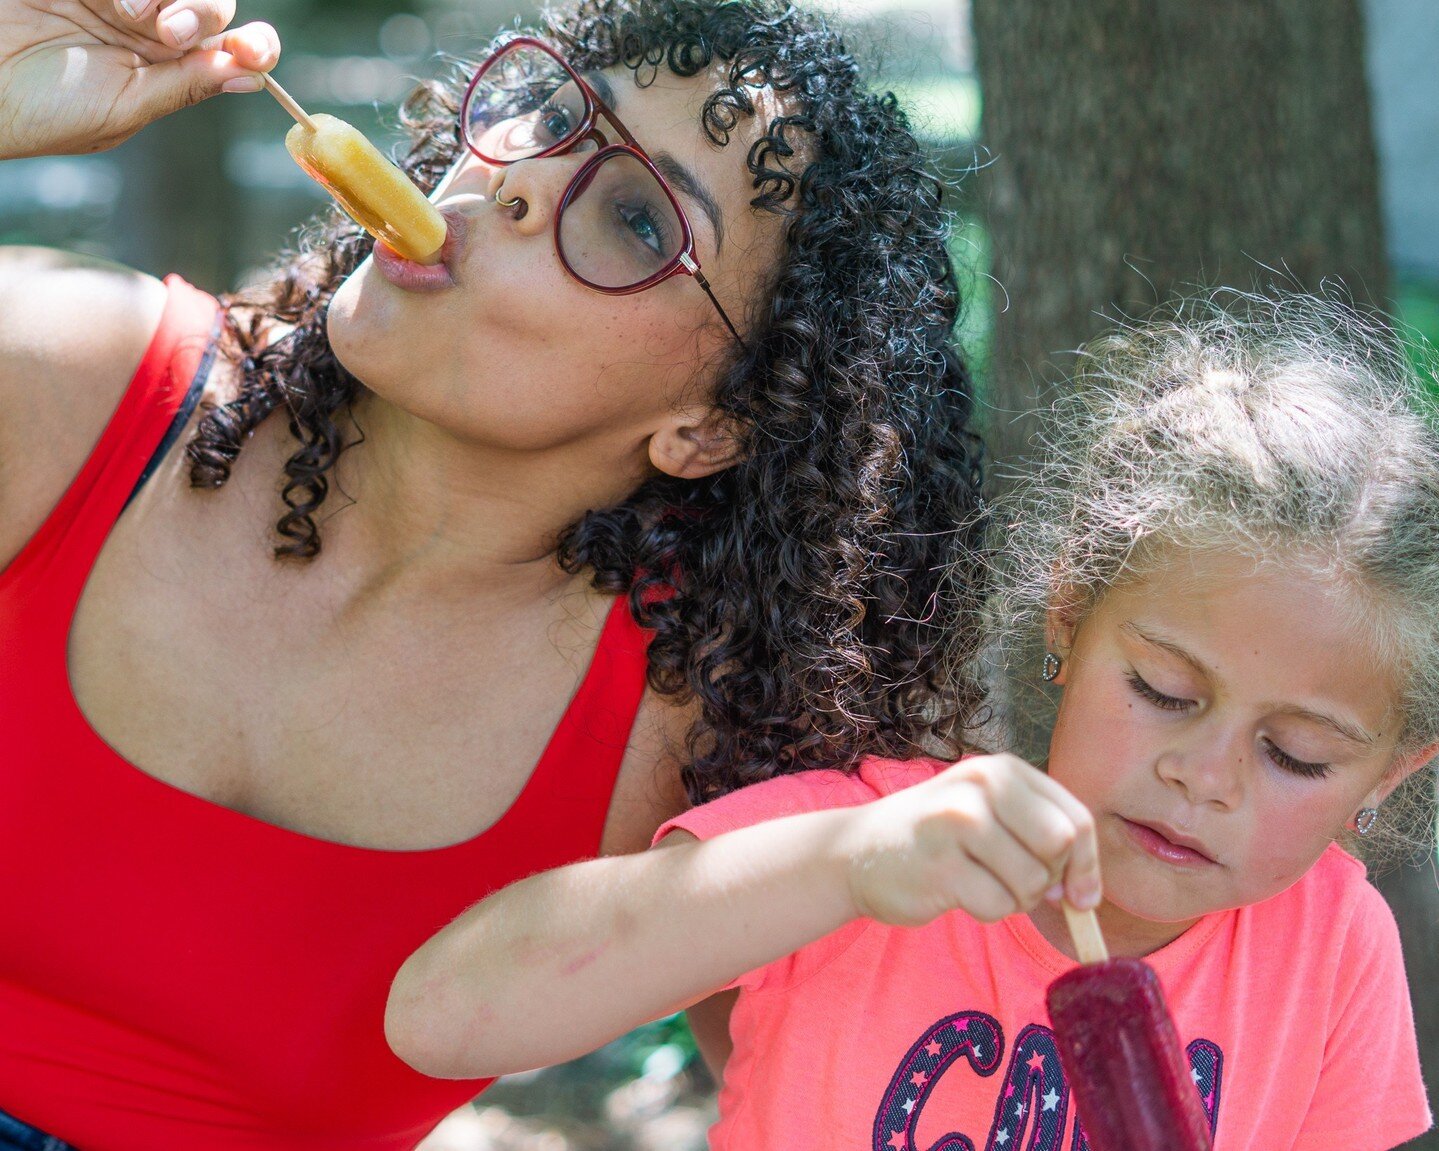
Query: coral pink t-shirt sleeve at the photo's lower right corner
(1371, 1094)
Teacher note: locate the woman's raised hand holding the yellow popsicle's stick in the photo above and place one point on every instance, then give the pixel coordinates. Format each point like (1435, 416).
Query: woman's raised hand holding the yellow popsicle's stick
(84, 76)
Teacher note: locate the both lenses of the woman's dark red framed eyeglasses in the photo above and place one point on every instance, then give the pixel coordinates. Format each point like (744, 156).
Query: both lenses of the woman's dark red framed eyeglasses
(618, 225)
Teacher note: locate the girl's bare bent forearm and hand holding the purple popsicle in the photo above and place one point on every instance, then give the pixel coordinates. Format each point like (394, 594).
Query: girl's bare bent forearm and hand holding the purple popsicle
(565, 962)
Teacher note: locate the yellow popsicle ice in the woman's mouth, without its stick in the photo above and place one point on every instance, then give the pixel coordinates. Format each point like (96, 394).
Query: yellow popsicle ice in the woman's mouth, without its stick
(381, 198)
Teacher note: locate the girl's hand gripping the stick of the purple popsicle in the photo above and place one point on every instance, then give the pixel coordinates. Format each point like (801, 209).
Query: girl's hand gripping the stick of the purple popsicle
(991, 835)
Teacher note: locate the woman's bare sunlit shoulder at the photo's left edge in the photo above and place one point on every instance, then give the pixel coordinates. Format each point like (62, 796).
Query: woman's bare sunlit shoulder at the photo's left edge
(74, 332)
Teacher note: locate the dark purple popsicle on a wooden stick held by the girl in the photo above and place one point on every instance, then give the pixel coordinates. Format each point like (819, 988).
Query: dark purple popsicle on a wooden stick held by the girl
(1123, 1057)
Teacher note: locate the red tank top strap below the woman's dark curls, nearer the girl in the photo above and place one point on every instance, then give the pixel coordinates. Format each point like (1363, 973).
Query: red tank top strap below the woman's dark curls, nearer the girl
(575, 781)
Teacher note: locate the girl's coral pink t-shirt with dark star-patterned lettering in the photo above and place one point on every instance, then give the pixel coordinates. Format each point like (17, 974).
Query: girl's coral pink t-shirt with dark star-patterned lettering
(1294, 1014)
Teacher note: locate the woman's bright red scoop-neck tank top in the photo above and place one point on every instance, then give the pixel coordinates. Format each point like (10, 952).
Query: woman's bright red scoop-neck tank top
(176, 975)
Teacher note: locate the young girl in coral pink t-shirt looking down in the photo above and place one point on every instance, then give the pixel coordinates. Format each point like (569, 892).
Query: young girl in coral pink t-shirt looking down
(1234, 553)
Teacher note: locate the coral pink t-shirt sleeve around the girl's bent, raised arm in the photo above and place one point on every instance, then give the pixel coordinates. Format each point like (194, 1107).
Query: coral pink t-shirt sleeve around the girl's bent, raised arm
(792, 796)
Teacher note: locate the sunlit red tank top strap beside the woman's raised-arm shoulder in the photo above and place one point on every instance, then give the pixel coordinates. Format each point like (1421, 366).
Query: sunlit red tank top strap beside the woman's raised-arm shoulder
(61, 555)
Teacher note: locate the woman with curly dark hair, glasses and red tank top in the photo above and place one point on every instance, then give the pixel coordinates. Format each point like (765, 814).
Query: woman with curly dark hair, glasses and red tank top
(609, 545)
